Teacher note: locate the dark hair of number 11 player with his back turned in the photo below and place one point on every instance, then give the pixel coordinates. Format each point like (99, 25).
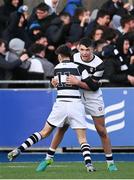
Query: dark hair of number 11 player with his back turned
(64, 50)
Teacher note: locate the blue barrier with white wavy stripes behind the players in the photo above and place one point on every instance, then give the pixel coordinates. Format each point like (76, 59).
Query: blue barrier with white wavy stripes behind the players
(23, 112)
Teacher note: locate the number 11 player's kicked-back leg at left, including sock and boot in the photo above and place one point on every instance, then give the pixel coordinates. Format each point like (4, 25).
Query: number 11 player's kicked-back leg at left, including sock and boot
(34, 138)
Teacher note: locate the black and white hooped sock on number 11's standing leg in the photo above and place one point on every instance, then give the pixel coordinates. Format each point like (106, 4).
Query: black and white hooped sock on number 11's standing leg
(85, 148)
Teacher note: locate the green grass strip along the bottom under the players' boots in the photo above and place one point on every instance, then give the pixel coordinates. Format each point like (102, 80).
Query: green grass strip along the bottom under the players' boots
(65, 171)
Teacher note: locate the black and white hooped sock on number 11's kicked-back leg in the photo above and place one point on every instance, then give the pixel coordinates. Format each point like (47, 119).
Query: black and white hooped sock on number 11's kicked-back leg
(34, 138)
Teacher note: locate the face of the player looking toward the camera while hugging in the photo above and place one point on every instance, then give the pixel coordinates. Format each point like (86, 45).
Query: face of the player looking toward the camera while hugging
(86, 53)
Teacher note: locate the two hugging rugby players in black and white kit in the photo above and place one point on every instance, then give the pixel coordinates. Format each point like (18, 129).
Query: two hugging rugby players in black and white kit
(71, 104)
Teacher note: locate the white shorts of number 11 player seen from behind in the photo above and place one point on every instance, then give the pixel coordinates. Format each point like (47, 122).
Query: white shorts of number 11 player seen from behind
(72, 113)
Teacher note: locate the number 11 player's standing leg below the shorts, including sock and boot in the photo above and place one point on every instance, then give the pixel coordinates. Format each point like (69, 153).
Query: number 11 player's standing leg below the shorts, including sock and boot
(85, 148)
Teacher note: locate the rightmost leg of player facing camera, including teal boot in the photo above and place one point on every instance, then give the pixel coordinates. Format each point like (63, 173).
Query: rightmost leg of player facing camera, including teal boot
(101, 129)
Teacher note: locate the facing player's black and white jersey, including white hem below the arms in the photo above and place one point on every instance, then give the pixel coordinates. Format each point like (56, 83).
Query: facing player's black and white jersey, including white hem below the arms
(95, 69)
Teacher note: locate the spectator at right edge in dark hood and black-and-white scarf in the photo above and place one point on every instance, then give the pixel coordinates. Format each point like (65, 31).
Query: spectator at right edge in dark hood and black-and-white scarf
(117, 68)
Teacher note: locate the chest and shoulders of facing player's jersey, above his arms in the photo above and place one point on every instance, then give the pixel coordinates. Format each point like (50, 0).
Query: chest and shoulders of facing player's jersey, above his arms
(95, 67)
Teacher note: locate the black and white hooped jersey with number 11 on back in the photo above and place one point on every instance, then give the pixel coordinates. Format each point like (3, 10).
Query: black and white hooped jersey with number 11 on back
(64, 69)
